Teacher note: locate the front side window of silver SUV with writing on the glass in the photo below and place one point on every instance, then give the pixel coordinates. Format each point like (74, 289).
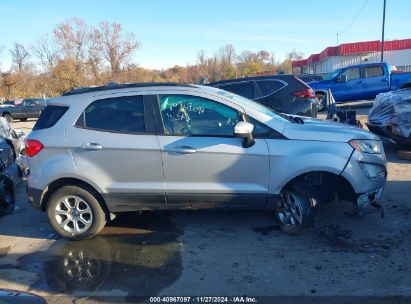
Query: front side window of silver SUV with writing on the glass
(186, 115)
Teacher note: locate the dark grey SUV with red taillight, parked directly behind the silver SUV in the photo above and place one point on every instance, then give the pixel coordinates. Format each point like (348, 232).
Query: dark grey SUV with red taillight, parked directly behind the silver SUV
(282, 93)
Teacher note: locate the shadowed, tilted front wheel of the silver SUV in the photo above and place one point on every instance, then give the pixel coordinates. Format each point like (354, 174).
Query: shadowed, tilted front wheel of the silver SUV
(293, 211)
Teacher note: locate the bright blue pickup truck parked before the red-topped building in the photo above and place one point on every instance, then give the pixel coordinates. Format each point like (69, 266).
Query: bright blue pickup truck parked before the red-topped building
(363, 81)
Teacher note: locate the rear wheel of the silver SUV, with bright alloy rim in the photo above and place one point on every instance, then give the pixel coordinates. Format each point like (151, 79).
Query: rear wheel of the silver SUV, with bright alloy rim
(75, 213)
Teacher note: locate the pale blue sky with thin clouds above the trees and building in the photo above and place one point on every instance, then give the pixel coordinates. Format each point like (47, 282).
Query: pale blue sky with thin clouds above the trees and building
(173, 32)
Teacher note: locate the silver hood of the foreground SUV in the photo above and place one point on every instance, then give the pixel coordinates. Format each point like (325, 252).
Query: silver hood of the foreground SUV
(319, 130)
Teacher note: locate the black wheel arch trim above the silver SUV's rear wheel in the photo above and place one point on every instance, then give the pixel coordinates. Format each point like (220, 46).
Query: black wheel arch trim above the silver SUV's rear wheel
(70, 181)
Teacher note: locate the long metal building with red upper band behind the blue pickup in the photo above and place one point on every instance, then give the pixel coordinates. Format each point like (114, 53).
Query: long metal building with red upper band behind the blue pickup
(396, 53)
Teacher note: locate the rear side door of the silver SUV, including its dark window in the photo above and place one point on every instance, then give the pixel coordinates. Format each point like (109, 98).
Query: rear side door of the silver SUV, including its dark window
(114, 145)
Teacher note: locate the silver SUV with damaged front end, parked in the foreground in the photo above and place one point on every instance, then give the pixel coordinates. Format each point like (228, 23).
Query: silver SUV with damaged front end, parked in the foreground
(98, 151)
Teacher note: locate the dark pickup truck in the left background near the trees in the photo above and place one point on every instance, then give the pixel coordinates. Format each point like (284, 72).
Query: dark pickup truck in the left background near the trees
(28, 108)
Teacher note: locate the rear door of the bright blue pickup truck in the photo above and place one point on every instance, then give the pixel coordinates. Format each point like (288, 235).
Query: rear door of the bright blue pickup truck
(375, 81)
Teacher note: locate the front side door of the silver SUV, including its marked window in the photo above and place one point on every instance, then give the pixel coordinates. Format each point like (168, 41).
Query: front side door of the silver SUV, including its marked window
(204, 164)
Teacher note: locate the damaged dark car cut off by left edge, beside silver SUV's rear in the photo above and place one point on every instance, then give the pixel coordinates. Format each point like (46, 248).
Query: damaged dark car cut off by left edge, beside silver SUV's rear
(11, 143)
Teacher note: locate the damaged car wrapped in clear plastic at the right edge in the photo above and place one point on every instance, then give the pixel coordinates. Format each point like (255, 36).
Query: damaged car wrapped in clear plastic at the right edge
(390, 116)
